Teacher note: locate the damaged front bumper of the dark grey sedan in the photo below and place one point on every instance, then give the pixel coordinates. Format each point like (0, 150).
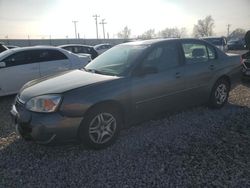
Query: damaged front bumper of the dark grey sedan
(44, 128)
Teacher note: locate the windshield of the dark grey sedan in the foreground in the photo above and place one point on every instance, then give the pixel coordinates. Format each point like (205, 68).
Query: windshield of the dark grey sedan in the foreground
(116, 61)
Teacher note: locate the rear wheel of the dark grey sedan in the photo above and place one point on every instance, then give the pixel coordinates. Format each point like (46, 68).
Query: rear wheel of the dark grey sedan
(219, 94)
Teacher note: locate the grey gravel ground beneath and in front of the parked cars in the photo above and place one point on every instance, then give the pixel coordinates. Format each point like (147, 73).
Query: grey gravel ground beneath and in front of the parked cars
(196, 148)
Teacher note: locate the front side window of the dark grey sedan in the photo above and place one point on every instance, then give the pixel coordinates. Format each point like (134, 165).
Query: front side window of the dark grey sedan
(163, 57)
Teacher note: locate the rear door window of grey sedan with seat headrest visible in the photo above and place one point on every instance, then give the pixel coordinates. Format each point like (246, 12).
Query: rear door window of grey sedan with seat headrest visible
(195, 52)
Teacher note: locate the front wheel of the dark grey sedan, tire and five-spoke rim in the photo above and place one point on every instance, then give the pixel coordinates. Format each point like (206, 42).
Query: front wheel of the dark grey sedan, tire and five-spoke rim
(100, 128)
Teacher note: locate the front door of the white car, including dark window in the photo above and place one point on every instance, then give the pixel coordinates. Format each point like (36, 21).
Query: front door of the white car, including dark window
(20, 68)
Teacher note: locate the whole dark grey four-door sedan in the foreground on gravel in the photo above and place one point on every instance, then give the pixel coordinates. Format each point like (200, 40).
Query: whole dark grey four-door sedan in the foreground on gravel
(129, 82)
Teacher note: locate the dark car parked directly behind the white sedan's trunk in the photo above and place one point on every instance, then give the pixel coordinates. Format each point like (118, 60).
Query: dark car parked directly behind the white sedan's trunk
(80, 49)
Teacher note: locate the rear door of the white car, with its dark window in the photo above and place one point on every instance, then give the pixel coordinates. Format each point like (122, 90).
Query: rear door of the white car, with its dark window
(53, 61)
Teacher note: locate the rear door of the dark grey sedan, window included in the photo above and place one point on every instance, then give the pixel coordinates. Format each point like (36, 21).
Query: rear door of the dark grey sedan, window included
(200, 66)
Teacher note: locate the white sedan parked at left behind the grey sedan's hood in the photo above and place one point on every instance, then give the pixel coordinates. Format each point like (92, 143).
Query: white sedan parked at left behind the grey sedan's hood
(20, 65)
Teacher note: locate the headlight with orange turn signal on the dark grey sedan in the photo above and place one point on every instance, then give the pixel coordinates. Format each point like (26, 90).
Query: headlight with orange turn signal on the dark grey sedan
(44, 103)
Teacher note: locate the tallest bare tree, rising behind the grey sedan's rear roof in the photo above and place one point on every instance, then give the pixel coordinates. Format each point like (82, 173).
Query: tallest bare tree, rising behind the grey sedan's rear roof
(204, 28)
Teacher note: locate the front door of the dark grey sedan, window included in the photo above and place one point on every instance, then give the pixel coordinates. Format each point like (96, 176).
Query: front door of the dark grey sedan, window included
(162, 88)
